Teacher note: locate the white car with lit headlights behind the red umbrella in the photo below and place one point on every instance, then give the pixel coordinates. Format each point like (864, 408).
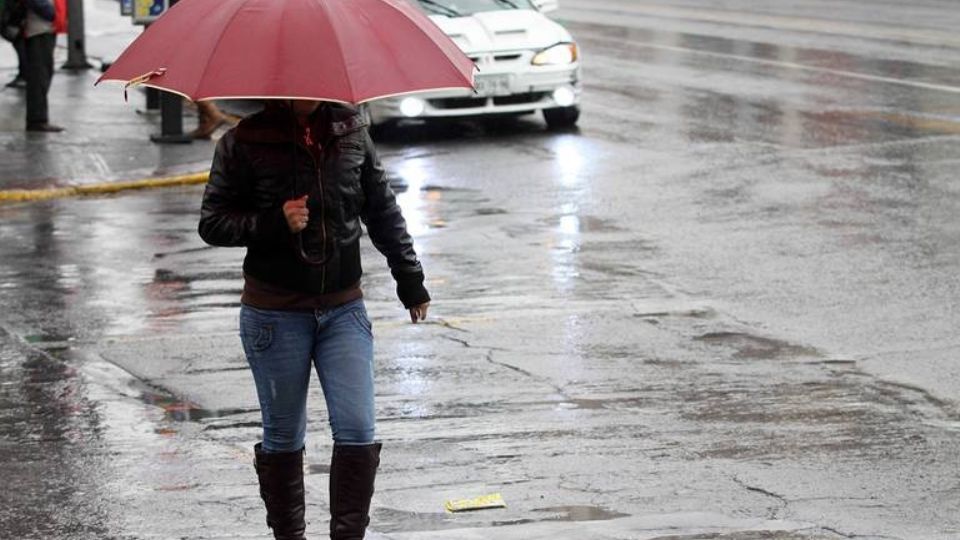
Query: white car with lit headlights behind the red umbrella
(526, 62)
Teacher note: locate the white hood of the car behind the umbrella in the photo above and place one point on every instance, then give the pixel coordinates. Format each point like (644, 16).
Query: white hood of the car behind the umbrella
(507, 30)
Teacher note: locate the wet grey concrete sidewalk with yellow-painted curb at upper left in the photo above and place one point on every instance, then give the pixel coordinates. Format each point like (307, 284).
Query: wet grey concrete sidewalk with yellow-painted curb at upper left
(106, 139)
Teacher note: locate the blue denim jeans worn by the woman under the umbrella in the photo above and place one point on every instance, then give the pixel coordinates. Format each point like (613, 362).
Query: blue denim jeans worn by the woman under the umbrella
(281, 347)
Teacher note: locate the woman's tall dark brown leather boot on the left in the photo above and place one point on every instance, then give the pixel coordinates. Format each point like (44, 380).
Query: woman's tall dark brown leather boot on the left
(281, 488)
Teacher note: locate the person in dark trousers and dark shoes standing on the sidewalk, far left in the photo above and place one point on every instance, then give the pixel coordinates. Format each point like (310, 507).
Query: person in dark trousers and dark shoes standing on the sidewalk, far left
(40, 39)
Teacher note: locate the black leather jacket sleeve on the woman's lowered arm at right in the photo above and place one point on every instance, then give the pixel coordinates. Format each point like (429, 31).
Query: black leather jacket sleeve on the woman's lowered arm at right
(388, 230)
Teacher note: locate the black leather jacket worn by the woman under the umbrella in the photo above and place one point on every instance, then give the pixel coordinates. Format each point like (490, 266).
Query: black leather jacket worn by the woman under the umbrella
(253, 175)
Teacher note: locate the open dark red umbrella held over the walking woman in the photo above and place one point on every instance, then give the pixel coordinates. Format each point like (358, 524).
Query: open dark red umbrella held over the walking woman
(335, 50)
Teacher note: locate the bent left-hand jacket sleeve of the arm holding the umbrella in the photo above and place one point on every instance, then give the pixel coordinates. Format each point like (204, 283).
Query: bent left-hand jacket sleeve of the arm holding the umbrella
(228, 217)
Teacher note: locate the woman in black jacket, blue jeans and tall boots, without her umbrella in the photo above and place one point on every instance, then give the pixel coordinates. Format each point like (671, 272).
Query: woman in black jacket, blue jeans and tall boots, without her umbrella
(291, 184)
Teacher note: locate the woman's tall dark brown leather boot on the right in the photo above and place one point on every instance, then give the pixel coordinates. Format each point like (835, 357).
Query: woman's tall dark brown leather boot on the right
(352, 472)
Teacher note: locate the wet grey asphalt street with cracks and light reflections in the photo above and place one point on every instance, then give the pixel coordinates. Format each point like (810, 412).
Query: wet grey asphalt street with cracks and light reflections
(724, 307)
